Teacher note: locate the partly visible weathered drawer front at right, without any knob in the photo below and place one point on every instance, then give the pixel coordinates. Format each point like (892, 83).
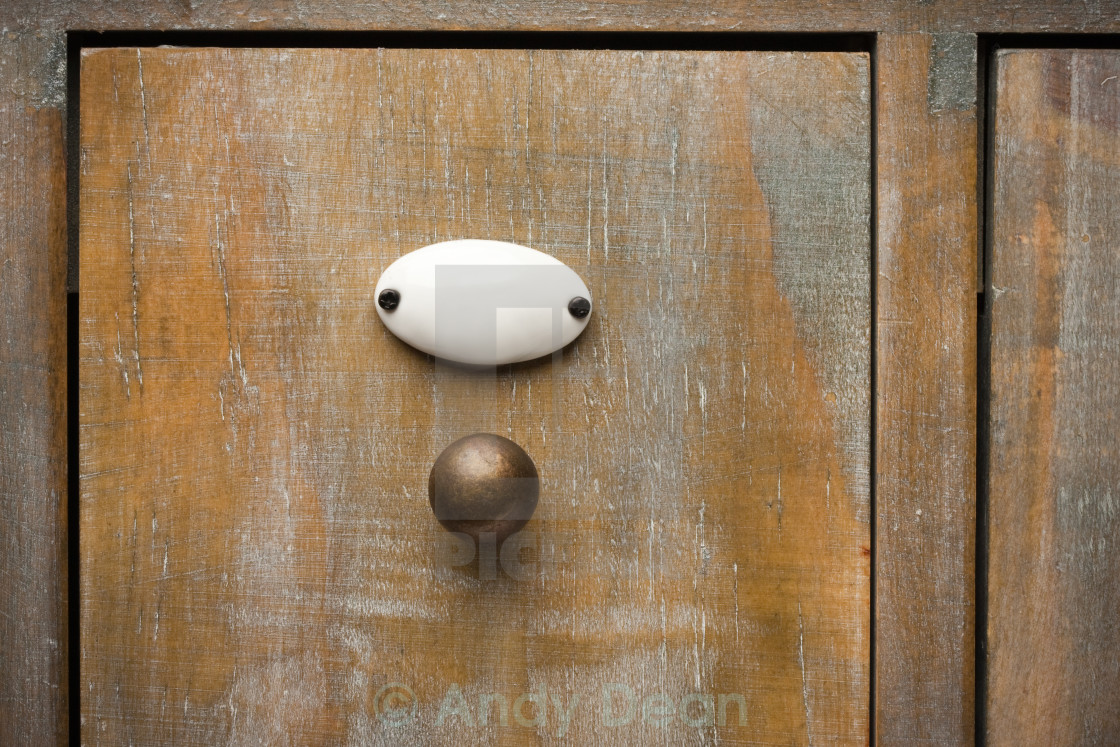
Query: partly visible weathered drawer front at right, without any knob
(1054, 564)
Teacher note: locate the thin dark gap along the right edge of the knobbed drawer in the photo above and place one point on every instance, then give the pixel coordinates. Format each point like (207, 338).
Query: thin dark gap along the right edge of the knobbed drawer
(874, 398)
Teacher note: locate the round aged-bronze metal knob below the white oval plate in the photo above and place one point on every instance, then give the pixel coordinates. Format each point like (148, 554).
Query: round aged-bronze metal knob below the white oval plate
(484, 483)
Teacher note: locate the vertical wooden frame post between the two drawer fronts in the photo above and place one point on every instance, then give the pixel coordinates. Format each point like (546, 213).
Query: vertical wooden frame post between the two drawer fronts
(926, 440)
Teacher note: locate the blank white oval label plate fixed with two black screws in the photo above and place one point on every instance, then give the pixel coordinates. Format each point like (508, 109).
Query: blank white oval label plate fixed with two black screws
(483, 303)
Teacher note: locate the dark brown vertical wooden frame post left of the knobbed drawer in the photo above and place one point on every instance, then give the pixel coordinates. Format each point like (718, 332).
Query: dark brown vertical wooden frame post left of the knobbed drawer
(33, 384)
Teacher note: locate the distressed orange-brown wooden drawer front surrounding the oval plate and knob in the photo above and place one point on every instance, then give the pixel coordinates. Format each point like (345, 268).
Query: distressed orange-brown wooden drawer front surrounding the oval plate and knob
(259, 559)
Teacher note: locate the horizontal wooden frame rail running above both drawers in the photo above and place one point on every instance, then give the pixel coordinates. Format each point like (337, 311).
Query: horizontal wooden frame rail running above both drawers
(853, 16)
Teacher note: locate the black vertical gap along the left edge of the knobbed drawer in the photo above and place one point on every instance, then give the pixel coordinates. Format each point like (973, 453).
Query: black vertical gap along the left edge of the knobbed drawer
(73, 483)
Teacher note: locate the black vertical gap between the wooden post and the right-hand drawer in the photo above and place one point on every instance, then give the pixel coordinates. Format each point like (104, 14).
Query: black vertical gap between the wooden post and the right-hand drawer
(986, 59)
